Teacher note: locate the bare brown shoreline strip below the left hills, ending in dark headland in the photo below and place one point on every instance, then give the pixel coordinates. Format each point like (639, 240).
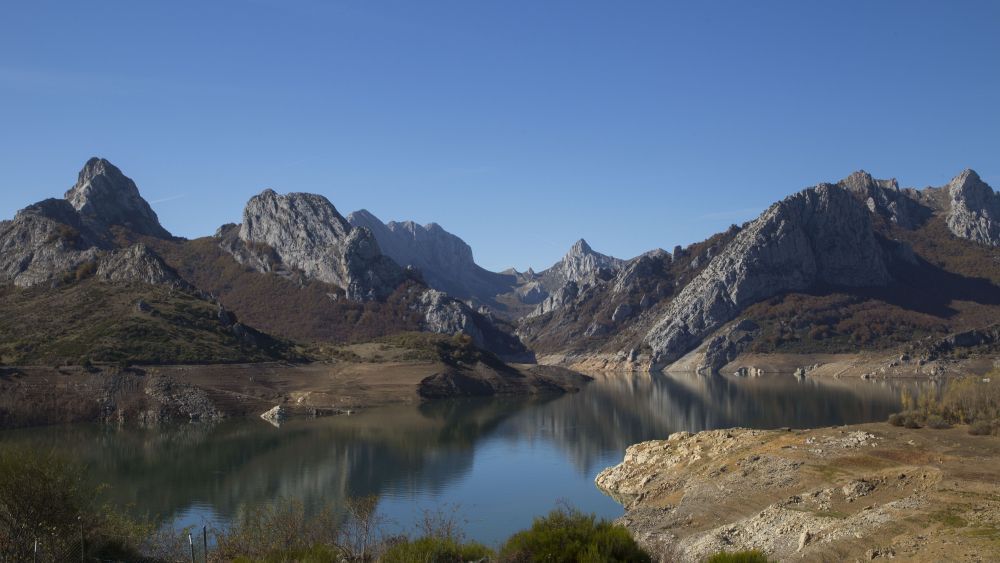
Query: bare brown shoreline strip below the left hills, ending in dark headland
(32, 396)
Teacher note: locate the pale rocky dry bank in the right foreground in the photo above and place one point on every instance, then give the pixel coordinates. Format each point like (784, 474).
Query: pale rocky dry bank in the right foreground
(848, 493)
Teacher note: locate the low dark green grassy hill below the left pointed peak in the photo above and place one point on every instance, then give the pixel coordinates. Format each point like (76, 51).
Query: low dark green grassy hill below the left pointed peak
(89, 321)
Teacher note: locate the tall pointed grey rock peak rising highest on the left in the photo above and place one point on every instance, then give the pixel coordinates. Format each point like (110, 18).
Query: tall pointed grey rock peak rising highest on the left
(103, 197)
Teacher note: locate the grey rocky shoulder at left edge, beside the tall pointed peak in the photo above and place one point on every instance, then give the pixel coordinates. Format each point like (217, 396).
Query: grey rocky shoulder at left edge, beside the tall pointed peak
(43, 242)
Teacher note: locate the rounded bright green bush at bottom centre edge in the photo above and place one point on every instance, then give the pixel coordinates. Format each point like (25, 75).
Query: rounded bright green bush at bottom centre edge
(568, 535)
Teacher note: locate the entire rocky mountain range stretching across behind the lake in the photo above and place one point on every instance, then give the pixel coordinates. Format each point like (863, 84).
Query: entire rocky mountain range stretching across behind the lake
(860, 264)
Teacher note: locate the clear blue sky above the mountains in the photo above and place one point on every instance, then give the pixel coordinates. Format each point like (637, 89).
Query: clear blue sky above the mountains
(518, 125)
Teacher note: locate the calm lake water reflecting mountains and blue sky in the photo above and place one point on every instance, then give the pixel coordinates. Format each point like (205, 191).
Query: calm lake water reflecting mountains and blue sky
(496, 462)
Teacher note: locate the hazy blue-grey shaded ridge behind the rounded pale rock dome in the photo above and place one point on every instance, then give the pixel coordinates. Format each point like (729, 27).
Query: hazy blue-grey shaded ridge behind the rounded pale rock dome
(444, 260)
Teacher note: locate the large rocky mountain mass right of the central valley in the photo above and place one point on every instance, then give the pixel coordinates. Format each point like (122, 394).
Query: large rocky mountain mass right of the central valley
(860, 264)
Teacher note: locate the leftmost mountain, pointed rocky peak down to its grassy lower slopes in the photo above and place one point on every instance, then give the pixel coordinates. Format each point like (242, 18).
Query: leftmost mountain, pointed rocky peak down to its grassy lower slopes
(75, 287)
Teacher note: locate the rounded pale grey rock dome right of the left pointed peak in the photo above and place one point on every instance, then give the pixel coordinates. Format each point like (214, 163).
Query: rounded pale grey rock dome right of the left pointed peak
(306, 233)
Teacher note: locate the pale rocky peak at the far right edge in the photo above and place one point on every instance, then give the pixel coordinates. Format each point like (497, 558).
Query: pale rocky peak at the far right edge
(975, 209)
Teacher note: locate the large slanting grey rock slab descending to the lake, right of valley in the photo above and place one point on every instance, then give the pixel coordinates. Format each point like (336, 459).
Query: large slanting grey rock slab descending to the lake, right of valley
(822, 234)
